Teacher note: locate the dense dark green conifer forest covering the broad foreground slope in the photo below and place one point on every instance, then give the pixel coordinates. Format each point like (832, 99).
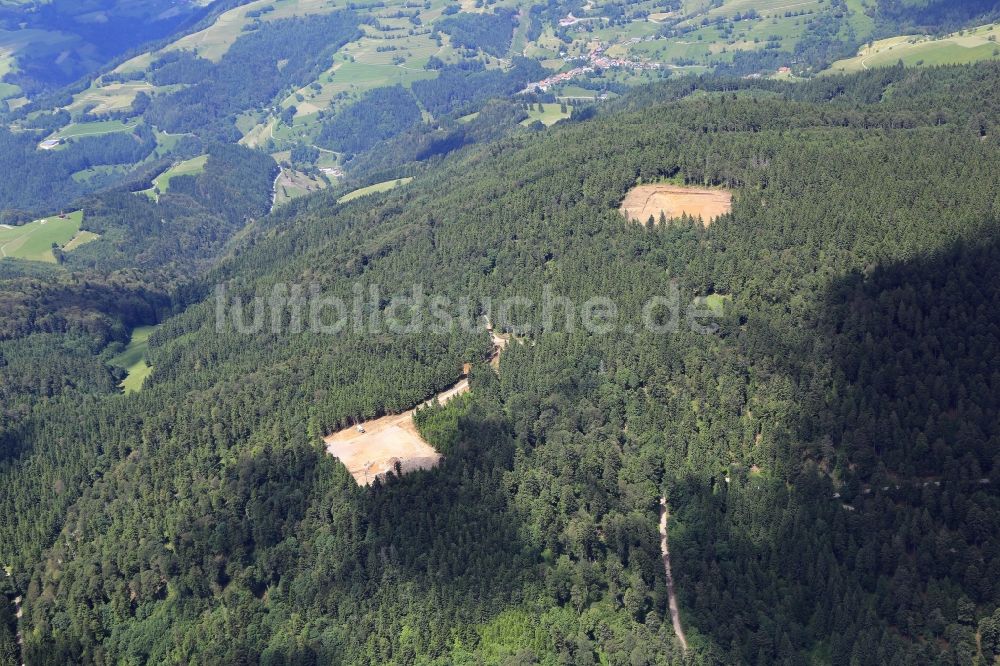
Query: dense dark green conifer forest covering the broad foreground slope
(830, 451)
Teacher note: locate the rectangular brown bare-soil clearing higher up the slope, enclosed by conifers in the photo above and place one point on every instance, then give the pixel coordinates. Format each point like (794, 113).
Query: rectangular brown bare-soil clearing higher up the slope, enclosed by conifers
(674, 201)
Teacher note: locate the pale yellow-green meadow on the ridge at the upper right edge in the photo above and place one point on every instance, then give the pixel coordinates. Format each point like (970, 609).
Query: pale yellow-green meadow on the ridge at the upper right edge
(957, 48)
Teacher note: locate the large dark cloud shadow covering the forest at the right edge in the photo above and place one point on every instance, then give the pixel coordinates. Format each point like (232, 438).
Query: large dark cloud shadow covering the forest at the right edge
(870, 532)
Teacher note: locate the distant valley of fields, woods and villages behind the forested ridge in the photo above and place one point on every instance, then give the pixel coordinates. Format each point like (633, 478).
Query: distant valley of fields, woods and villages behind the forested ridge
(87, 104)
